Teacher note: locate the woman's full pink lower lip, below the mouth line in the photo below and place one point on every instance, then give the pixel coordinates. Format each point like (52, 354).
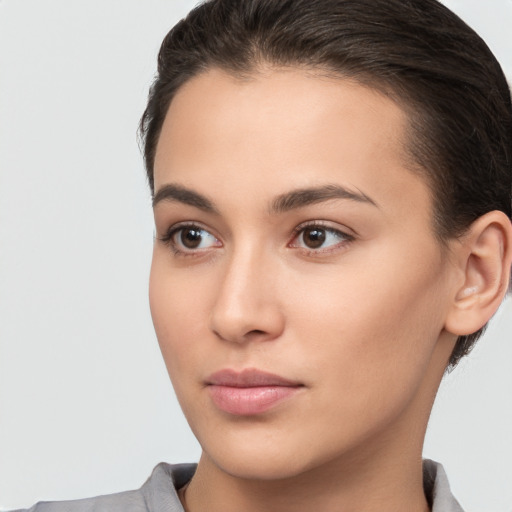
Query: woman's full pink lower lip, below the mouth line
(249, 401)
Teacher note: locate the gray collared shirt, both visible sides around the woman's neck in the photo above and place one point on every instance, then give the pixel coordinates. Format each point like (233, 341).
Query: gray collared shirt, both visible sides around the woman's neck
(159, 494)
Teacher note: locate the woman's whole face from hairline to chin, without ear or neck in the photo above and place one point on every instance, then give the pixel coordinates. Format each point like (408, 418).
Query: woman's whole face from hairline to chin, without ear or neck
(297, 290)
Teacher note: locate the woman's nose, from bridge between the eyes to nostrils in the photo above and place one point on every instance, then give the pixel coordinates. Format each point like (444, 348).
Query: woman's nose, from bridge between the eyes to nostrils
(246, 306)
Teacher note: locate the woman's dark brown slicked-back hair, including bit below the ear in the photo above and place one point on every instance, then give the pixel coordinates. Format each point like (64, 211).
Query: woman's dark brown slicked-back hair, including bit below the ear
(417, 52)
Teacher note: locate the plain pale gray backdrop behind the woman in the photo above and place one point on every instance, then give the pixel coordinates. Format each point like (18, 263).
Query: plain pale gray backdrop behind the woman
(85, 403)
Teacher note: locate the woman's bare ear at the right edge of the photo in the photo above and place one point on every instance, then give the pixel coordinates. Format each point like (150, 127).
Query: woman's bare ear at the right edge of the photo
(485, 256)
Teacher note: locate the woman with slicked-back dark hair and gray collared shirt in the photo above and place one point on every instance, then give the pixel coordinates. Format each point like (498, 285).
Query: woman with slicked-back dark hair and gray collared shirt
(321, 177)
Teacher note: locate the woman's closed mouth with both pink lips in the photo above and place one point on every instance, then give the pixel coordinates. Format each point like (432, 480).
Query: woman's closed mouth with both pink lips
(250, 391)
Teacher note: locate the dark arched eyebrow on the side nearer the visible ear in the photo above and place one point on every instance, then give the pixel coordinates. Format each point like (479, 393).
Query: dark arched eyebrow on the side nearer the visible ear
(306, 196)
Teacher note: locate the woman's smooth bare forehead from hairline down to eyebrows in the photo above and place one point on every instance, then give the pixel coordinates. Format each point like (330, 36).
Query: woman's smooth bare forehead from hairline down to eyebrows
(292, 127)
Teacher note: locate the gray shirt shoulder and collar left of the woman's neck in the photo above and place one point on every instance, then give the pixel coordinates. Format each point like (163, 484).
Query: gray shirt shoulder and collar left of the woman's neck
(158, 494)
